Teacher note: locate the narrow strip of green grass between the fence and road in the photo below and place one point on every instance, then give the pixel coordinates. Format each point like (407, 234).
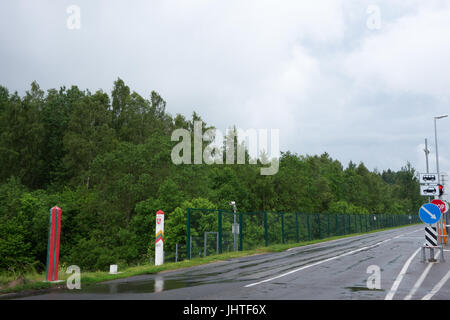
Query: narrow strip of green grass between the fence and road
(35, 281)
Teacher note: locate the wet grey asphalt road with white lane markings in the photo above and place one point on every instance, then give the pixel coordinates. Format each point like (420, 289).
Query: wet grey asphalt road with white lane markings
(331, 270)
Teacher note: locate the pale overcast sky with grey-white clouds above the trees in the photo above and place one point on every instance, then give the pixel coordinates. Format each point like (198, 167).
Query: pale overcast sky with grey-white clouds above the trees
(361, 80)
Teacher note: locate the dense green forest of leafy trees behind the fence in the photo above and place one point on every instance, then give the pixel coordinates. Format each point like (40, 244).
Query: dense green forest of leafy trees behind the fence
(105, 159)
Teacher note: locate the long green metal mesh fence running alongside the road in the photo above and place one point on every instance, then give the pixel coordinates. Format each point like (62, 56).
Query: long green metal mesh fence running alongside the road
(210, 231)
